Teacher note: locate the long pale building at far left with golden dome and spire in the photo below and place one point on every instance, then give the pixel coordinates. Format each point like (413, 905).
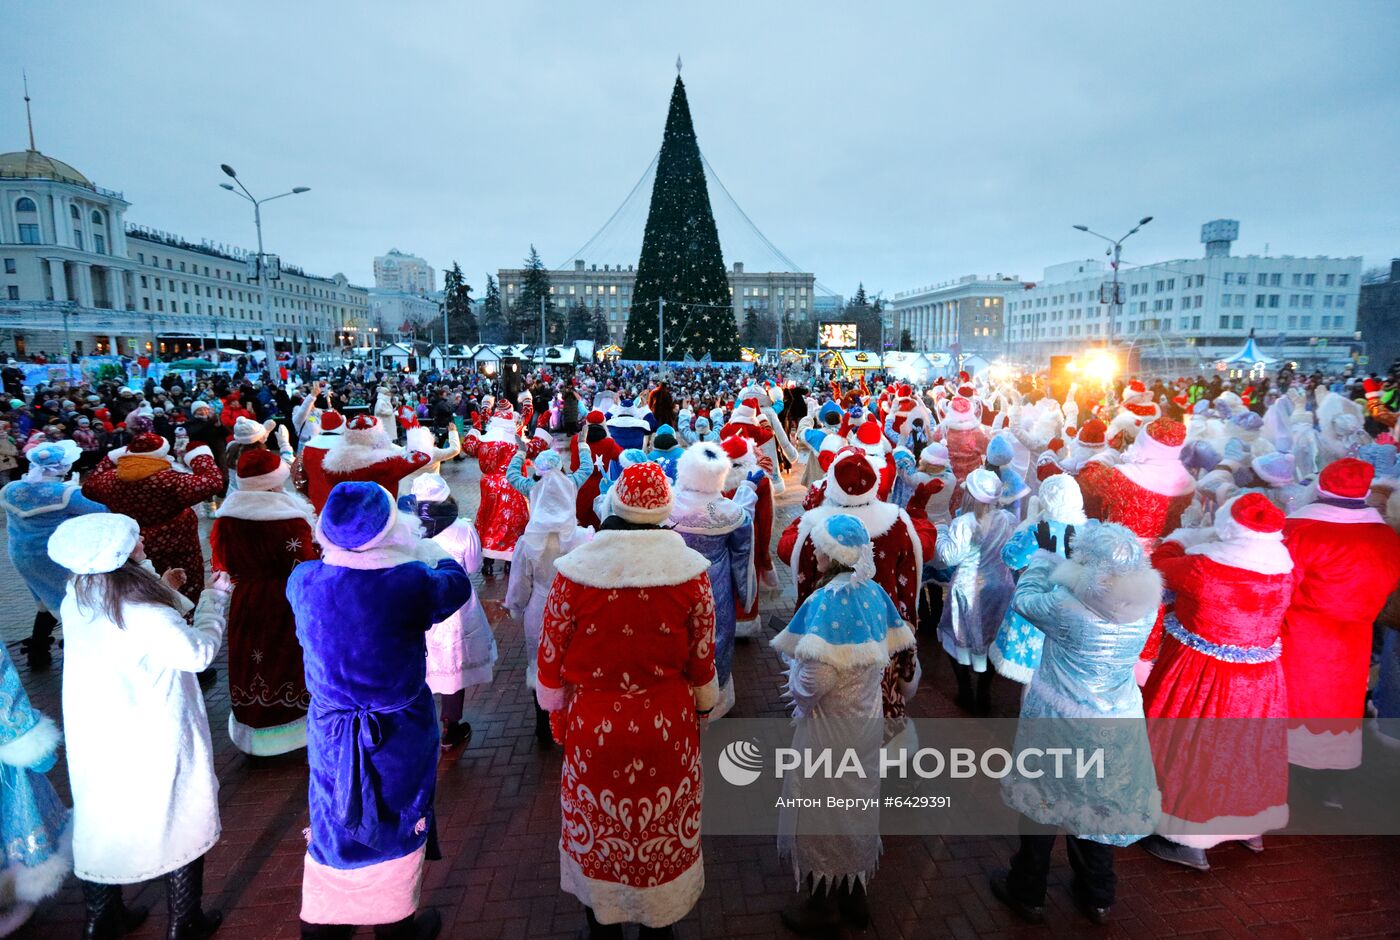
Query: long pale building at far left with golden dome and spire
(73, 274)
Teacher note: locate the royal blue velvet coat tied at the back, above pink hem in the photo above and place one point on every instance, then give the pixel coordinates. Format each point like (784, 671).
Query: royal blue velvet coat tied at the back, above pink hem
(372, 732)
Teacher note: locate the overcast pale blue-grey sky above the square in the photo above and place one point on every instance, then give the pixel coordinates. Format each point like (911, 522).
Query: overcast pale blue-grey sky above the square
(897, 144)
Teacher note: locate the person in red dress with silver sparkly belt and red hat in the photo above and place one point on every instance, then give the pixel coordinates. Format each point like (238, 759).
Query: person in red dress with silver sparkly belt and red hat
(1223, 778)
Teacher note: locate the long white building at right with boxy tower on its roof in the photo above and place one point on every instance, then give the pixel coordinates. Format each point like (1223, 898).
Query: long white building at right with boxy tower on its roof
(1182, 316)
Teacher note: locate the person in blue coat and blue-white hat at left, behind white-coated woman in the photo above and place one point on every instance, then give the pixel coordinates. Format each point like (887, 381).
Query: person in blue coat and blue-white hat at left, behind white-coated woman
(34, 508)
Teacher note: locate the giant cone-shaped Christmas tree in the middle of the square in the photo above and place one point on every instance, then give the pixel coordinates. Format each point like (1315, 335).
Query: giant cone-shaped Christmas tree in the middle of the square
(681, 257)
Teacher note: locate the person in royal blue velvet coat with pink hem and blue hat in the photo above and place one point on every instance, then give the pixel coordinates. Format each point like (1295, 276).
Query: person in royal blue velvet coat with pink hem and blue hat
(363, 613)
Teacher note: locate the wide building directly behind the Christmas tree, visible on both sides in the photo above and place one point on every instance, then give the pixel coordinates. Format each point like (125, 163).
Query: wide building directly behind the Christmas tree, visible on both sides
(610, 289)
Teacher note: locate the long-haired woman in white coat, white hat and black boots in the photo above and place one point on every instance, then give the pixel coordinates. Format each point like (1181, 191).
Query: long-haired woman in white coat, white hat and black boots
(132, 703)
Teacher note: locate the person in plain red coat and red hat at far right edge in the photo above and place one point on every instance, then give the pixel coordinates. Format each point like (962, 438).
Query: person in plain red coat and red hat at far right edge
(1349, 562)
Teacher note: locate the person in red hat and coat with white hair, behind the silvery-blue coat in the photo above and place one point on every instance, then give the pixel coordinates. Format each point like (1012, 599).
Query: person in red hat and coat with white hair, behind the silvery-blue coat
(1147, 492)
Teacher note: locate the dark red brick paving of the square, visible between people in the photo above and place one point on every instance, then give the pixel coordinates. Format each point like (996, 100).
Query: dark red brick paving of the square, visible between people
(499, 826)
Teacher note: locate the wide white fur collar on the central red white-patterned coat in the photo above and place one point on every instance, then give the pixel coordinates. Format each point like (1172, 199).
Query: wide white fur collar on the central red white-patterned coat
(645, 558)
